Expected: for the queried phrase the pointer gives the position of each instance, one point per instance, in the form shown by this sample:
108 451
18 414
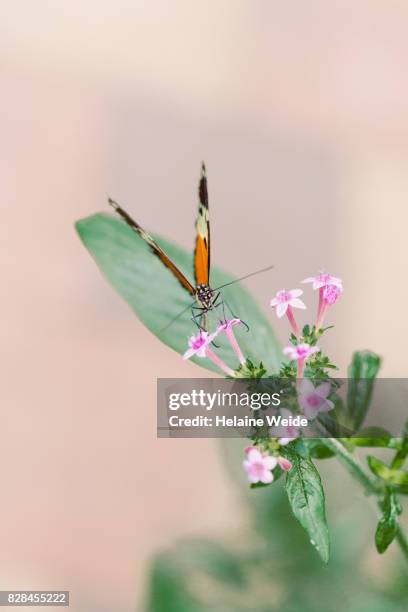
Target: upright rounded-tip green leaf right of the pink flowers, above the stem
362 372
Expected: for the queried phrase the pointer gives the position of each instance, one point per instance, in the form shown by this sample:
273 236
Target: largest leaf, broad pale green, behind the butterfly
156 297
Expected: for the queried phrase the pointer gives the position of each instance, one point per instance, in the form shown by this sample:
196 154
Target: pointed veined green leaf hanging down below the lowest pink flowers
306 497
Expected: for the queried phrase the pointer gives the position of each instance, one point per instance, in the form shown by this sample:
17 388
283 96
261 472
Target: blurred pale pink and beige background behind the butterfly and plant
300 112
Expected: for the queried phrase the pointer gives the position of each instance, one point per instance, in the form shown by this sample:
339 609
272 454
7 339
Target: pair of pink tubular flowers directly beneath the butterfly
199 345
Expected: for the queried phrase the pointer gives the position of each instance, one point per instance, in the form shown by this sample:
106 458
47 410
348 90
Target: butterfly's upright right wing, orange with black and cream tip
202 246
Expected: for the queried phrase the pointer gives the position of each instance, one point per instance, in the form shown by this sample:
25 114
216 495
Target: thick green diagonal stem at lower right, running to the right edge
369 482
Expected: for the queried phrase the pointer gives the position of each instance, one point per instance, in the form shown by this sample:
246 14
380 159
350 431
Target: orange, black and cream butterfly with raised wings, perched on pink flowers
205 298
